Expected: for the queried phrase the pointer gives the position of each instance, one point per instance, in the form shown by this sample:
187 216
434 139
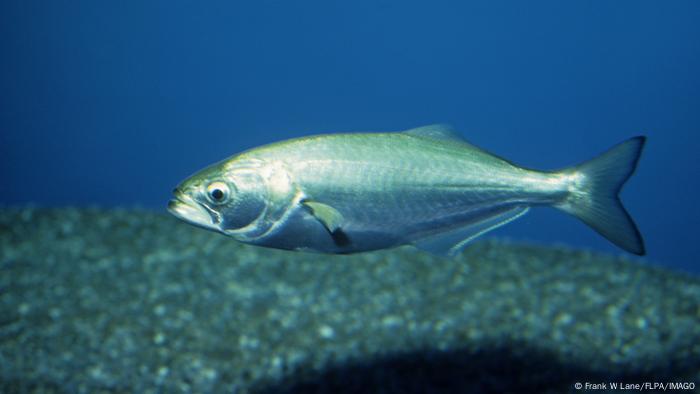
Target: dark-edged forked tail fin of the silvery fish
595 201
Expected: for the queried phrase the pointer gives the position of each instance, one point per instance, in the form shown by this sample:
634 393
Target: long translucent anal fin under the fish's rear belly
449 243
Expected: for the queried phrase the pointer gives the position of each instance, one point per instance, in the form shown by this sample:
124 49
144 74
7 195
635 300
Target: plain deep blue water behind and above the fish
113 103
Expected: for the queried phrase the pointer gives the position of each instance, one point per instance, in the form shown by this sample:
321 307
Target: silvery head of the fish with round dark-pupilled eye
227 197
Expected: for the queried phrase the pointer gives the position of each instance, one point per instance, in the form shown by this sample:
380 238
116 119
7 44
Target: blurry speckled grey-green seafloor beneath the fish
97 301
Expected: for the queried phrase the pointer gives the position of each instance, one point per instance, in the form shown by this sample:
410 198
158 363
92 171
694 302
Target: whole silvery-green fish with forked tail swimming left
427 187
